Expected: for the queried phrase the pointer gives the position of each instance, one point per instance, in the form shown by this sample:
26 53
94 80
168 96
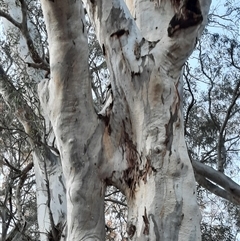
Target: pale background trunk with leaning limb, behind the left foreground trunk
44 160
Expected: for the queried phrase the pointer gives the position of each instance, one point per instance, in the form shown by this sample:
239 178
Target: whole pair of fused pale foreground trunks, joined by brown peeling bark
136 143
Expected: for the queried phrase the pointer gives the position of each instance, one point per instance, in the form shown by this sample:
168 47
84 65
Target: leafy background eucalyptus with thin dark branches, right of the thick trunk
212 120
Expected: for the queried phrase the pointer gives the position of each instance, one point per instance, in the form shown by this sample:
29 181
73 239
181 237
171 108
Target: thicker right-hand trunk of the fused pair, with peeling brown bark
146 71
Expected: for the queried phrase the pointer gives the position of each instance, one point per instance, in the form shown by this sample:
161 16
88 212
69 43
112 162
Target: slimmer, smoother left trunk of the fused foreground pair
74 120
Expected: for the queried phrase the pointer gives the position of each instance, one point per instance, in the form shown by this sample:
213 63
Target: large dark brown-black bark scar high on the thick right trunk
187 15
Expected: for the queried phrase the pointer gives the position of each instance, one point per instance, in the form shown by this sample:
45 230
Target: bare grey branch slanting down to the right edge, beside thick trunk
224 186
